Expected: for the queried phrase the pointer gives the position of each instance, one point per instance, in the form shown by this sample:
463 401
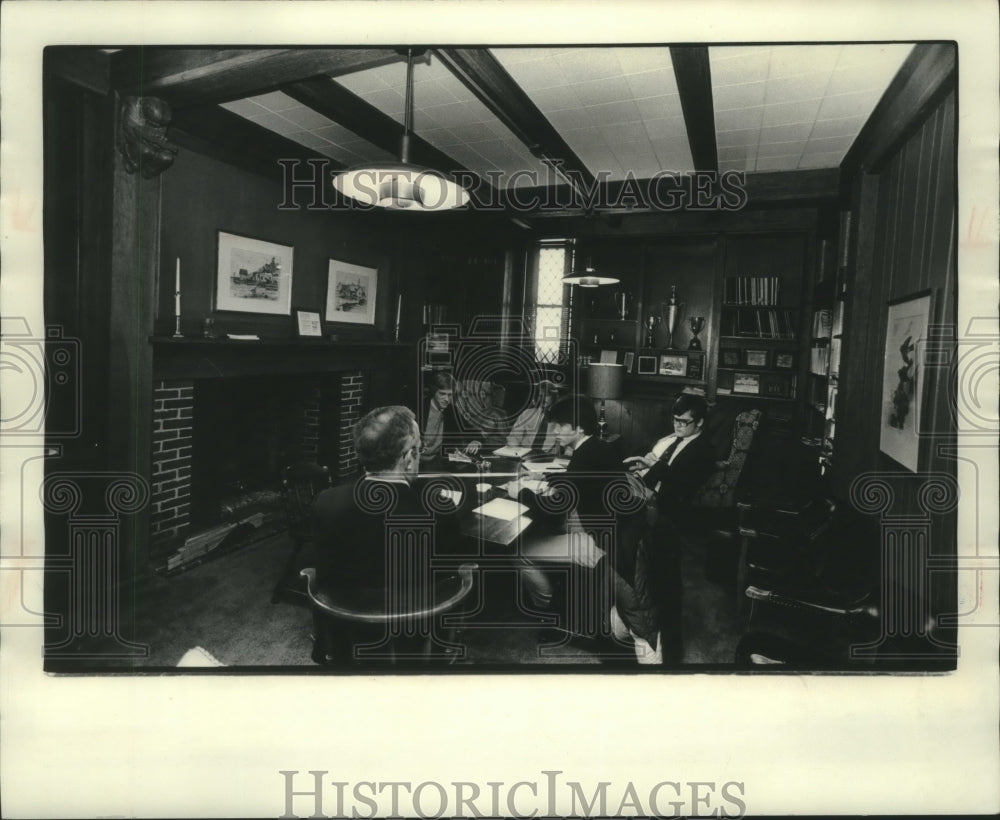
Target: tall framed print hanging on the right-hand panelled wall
907 320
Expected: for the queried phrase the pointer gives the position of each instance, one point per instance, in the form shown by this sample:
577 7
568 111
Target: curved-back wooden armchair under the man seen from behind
367 630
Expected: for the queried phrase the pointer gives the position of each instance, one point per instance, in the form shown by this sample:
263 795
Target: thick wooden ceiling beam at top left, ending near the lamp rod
193 76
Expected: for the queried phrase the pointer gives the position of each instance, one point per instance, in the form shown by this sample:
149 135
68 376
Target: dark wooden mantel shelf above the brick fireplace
227 358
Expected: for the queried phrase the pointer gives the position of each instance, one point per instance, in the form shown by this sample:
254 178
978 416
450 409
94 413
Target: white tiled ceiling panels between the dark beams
777 108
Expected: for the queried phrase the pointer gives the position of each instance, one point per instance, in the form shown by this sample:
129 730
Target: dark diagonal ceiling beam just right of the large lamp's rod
484 76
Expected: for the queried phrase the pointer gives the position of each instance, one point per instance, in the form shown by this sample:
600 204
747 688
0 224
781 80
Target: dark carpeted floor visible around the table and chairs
224 606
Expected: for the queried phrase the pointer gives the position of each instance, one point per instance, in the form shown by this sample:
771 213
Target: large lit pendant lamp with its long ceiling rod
400 185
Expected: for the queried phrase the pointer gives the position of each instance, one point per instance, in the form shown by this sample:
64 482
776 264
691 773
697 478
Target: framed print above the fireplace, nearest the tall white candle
253 276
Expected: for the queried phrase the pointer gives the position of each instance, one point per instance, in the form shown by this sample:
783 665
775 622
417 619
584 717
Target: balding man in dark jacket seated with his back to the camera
362 528
